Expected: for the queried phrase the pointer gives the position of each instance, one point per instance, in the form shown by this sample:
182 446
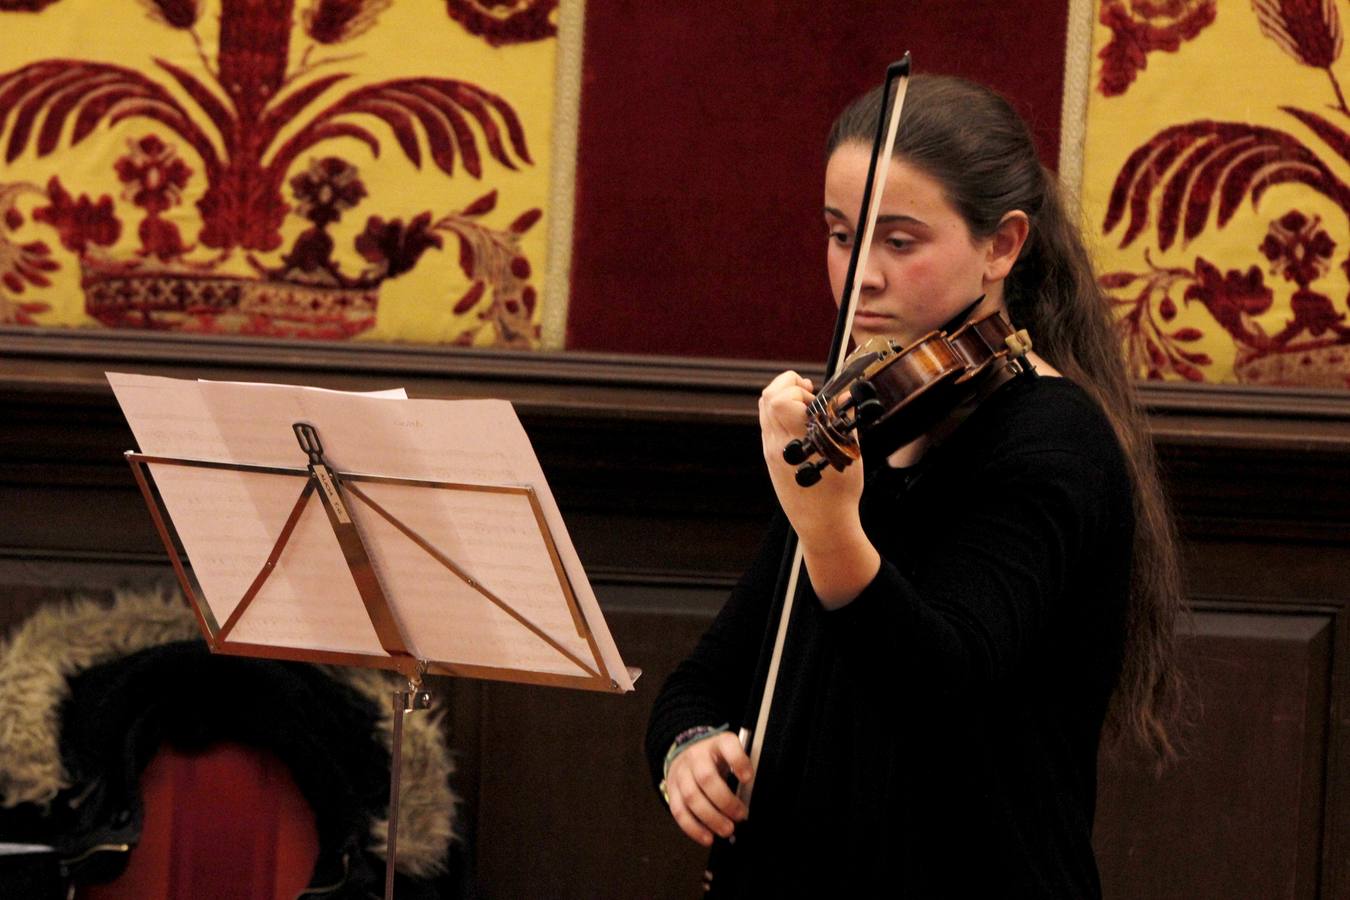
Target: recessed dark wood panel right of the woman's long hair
1241 814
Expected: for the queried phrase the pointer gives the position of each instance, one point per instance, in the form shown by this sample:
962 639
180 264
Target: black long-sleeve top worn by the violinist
939 735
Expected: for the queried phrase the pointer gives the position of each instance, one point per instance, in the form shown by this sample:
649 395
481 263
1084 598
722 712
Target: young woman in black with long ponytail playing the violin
981 602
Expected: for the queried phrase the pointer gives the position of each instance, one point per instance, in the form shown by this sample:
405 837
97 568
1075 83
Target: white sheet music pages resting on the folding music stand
229 522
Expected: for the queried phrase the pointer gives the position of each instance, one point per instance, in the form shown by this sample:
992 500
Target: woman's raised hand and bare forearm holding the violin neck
826 516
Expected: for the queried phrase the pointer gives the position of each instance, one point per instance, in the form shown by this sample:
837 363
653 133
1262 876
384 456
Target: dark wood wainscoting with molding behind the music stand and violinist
657 469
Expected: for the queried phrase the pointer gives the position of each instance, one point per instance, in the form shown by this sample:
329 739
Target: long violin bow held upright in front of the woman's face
772 652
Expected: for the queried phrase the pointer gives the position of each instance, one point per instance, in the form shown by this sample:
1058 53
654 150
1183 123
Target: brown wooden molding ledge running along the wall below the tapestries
604 384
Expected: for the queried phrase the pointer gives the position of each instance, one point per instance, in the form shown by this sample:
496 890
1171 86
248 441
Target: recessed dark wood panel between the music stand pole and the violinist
566 808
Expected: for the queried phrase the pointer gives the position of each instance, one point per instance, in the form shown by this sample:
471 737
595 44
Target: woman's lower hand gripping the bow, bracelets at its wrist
696 786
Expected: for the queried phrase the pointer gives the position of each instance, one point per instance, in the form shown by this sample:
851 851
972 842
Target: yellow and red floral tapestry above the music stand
288 168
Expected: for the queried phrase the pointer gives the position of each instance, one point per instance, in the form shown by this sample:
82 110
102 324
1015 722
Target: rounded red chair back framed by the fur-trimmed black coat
225 825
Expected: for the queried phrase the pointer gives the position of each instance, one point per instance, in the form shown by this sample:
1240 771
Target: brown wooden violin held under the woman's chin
898 393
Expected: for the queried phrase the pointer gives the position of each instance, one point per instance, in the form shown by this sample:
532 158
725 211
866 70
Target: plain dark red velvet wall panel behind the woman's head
701 160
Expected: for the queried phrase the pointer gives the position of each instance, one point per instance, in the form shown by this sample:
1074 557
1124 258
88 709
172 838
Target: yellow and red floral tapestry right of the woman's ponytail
1217 173
